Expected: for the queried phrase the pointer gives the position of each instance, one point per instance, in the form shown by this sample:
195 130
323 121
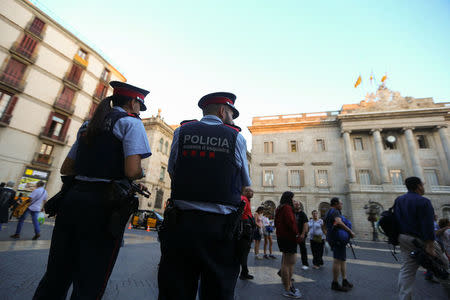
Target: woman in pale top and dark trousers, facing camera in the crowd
317 232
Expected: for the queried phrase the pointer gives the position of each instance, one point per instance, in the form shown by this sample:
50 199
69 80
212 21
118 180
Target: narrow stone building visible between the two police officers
157 178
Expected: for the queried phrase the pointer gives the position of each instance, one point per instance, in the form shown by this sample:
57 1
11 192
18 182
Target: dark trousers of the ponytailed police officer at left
82 251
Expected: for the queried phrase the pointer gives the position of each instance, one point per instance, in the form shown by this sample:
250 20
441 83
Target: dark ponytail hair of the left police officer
95 125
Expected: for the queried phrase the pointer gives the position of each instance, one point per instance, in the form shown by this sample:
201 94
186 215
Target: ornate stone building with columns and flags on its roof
361 154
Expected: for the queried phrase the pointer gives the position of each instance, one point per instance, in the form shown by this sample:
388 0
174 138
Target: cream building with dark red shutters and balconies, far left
50 82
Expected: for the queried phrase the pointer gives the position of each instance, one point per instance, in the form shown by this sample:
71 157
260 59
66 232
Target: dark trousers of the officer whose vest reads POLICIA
195 249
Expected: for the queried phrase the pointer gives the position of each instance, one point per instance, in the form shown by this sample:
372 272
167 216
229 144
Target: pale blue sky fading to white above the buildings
278 57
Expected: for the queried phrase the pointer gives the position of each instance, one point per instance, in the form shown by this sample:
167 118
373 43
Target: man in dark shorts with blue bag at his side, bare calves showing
339 233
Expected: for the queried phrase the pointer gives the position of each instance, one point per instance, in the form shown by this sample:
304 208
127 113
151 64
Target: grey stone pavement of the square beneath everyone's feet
374 272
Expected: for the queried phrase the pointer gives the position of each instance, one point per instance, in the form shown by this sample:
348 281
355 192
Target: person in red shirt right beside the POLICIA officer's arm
247 228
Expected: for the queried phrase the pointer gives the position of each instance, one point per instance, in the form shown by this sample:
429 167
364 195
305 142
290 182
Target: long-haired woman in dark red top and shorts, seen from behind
288 237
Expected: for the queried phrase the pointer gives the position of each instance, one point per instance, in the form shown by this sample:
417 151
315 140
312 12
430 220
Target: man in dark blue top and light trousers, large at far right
415 216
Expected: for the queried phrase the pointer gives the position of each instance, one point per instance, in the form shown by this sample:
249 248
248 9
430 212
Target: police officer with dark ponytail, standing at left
108 148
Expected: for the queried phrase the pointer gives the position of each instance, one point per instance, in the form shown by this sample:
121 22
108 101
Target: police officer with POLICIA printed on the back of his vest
208 169
